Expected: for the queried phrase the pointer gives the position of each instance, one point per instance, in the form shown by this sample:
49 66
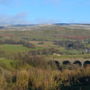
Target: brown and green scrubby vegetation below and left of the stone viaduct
33 72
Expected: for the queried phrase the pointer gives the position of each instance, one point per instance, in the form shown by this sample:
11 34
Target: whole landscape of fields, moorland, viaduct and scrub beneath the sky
30 58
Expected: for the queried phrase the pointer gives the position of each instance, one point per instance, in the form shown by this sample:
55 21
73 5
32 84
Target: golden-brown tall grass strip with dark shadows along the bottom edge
30 78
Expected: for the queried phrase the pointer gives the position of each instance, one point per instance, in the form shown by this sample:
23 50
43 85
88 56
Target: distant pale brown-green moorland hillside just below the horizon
47 32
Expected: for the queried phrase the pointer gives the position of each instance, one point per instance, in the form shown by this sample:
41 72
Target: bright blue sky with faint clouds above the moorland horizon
44 11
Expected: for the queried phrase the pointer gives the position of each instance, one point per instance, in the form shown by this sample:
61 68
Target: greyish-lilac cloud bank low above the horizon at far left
19 18
